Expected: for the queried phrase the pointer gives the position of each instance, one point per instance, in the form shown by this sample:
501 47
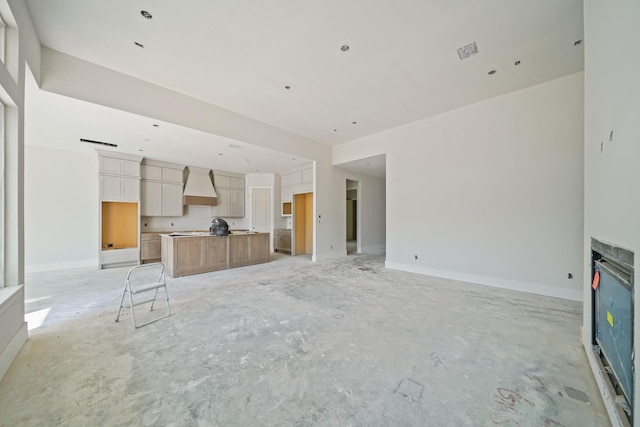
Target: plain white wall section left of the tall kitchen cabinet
61 209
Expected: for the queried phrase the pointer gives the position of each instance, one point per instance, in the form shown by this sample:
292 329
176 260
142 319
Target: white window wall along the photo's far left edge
22 48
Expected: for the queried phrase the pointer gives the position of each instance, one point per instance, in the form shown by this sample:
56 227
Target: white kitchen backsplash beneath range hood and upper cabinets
195 218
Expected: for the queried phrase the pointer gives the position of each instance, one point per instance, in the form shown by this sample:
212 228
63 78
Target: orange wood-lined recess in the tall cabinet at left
119 225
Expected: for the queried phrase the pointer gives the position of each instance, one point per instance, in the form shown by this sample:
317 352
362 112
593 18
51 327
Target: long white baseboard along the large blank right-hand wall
515 285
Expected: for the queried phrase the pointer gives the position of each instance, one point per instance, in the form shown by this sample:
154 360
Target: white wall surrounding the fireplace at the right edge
612 175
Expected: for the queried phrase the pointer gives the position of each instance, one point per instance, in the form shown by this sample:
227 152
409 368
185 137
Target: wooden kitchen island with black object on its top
196 252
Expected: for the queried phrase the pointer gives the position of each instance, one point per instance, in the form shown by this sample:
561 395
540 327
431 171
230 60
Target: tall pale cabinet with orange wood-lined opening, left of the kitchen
119 208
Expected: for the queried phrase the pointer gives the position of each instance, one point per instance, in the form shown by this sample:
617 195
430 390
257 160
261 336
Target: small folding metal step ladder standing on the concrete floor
144 288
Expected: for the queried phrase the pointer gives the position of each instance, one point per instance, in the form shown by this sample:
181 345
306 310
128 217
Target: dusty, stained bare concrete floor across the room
291 342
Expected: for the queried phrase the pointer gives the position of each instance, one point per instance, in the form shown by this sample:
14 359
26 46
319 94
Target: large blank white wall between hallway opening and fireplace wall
491 193
